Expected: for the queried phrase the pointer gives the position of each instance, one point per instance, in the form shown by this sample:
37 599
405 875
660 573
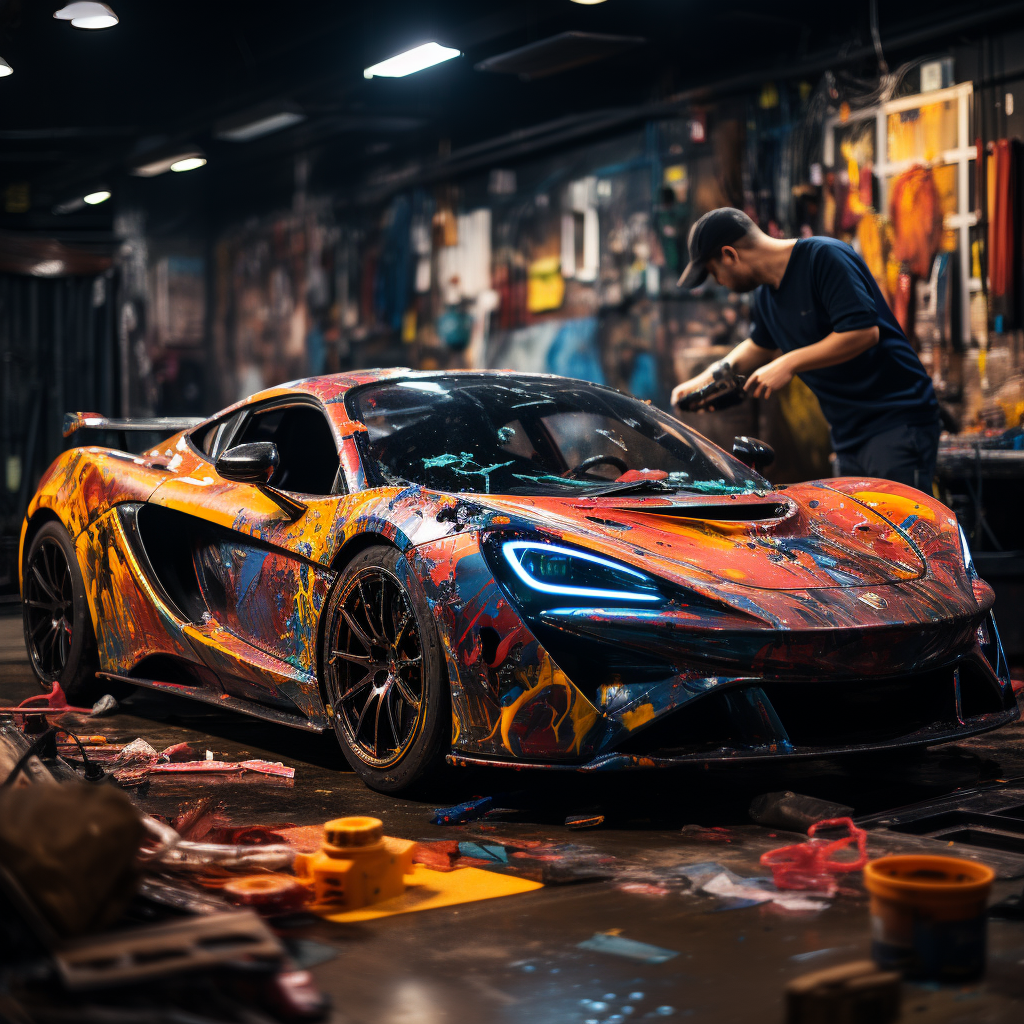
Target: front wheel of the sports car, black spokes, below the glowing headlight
383 672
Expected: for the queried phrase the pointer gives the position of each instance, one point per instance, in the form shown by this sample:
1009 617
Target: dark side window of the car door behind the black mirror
307 452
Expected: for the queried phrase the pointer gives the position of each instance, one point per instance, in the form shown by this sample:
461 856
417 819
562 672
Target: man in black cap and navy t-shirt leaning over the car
819 314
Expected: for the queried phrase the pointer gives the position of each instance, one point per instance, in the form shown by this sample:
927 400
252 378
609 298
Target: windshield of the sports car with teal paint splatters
524 436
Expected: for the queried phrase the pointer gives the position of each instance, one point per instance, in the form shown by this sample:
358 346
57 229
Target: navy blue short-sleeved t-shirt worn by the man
828 287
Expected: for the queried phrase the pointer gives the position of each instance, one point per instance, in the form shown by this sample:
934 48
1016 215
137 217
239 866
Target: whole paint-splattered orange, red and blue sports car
505 569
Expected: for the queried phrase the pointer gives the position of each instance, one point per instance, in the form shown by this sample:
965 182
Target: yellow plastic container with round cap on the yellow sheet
357 866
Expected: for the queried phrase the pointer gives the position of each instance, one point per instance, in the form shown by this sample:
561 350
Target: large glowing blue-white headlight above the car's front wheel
570 573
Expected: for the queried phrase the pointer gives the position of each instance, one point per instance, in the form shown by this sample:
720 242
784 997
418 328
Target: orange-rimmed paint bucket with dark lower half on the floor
928 916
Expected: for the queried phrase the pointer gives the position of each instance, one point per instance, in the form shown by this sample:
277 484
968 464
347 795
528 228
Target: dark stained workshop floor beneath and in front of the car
517 959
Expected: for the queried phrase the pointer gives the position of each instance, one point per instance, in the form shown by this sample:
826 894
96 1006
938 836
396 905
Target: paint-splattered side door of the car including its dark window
260 574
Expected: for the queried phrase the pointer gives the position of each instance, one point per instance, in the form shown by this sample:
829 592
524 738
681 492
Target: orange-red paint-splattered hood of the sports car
805 538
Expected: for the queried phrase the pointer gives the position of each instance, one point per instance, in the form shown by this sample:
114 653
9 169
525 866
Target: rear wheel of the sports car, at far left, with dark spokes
59 634
